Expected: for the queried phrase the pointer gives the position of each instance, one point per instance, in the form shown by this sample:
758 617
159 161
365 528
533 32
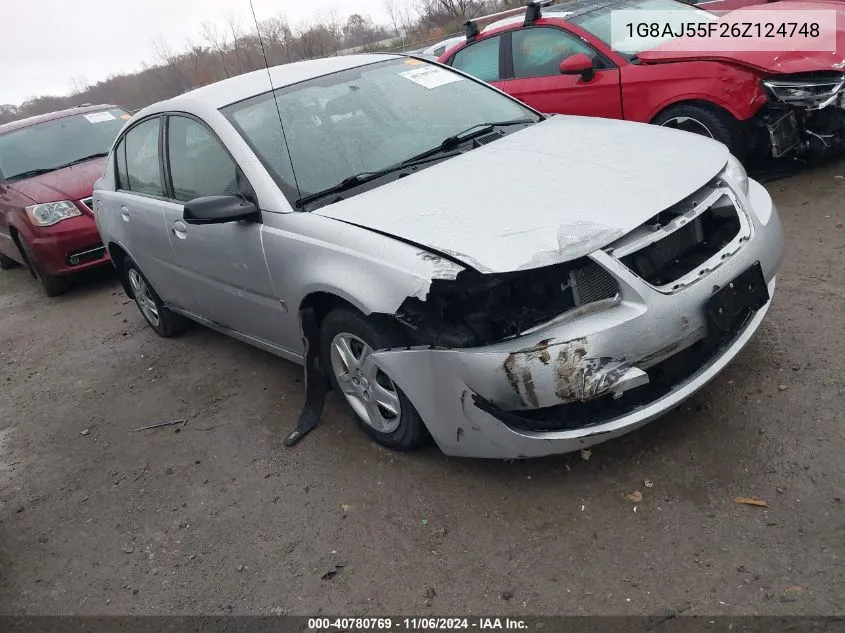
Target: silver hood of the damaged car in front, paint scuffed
547 194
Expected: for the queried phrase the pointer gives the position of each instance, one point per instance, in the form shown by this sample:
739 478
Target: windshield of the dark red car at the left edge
54 144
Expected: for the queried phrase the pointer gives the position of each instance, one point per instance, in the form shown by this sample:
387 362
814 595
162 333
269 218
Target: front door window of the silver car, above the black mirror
199 165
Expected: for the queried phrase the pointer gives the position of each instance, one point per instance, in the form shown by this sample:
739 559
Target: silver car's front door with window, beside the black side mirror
222 263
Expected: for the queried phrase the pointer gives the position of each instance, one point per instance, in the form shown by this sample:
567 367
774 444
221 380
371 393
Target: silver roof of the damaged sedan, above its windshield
234 89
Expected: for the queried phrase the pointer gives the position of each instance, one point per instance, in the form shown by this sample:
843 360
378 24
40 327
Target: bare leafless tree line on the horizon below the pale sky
224 49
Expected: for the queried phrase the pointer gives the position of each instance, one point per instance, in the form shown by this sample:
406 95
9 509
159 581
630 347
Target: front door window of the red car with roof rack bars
537 52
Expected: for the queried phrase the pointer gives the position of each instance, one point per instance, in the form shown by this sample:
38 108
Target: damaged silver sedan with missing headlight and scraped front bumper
452 263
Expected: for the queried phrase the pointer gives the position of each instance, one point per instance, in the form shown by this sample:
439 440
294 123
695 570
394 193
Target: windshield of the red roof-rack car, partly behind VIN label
676 15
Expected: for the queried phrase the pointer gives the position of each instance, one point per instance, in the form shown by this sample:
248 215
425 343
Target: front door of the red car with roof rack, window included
534 67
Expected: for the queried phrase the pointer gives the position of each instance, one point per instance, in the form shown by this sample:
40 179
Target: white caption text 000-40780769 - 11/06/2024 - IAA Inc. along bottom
430 624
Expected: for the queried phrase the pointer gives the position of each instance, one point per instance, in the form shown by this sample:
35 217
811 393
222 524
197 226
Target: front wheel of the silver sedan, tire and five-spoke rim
378 405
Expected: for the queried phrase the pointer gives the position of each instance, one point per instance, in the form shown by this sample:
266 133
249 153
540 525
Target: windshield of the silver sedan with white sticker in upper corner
363 120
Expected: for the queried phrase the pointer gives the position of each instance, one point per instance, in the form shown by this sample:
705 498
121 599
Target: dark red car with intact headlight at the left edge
48 166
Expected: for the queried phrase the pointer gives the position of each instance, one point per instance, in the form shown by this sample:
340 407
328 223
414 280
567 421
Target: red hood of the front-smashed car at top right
766 61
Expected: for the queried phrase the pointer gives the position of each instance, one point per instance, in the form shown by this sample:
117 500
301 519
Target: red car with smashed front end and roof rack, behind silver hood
560 61
